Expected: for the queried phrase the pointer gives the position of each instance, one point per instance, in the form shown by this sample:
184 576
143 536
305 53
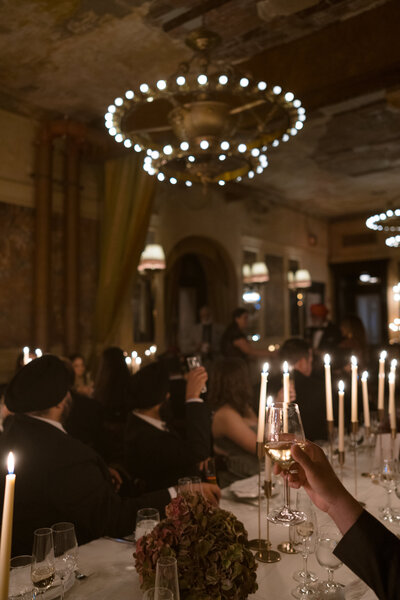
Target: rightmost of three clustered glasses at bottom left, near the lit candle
65 550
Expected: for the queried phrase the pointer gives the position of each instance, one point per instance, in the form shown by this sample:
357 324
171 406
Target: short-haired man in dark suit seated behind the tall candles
310 389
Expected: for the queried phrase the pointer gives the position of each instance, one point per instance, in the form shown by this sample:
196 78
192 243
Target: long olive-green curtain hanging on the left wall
128 201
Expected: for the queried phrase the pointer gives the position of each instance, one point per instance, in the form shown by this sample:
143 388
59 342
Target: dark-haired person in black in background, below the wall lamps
234 341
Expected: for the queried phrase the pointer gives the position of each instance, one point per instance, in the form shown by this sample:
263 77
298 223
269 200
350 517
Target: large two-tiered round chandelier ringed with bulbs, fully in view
204 123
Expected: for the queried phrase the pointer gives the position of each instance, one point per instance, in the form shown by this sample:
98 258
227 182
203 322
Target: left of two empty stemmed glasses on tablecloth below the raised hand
306 531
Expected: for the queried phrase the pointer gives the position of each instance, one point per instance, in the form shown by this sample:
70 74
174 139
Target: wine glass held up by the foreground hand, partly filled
283 428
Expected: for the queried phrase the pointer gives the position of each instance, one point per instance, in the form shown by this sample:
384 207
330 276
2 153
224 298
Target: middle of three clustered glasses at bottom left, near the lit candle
43 564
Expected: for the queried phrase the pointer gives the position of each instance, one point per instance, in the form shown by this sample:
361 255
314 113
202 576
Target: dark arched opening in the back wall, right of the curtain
199 271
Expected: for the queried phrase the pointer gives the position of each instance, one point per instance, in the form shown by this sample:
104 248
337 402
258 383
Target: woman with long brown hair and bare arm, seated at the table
234 421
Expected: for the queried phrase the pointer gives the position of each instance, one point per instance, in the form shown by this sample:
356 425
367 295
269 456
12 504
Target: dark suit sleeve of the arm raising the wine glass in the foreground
373 553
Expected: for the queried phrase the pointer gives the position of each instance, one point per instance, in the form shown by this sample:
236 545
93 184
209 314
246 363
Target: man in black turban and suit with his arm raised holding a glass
154 451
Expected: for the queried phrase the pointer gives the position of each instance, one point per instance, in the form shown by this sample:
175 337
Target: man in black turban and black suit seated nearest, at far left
58 477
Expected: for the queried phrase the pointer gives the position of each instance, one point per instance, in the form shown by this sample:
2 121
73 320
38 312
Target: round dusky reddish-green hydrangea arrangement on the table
210 545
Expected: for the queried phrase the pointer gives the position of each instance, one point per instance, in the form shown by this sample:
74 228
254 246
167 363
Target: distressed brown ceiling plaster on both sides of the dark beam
72 57
